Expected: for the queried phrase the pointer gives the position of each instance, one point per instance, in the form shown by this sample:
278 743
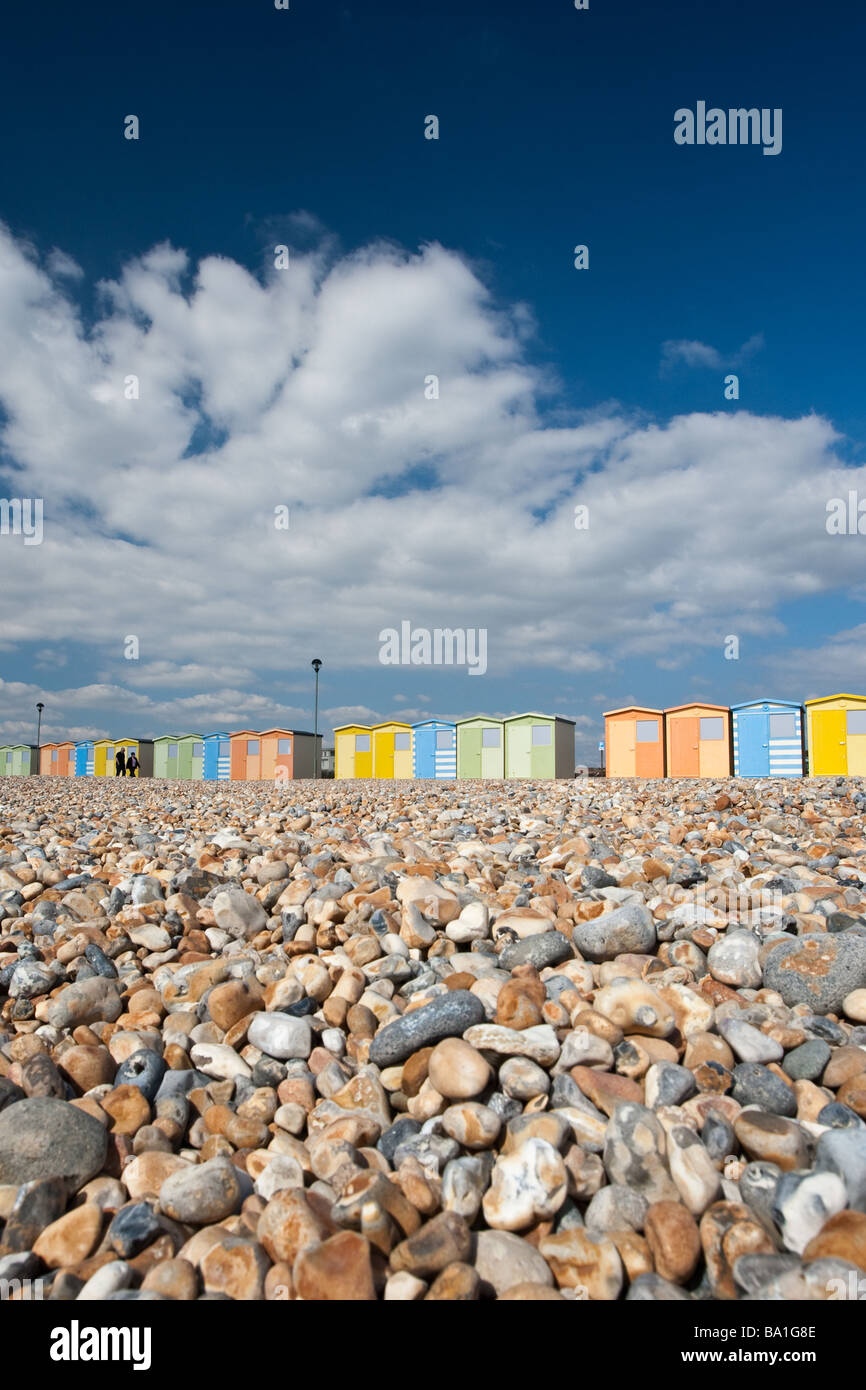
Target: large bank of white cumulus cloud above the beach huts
308 390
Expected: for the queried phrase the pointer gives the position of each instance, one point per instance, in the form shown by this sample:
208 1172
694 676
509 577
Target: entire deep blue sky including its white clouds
307 127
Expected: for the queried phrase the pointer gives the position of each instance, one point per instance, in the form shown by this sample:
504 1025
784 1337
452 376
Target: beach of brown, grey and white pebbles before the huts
589 1040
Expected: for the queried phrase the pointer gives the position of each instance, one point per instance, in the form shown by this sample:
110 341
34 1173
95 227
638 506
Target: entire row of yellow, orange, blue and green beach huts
758 739
